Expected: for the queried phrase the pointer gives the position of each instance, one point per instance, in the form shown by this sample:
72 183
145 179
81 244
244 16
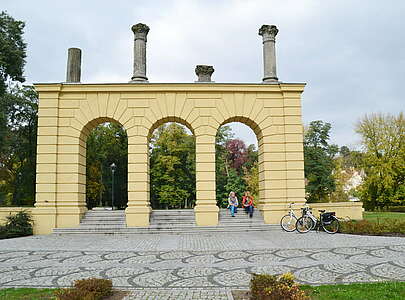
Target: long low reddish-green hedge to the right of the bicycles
387 226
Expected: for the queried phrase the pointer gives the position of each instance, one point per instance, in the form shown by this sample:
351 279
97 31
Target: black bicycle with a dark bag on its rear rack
327 221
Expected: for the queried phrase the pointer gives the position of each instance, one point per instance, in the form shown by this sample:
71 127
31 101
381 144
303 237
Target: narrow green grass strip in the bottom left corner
27 294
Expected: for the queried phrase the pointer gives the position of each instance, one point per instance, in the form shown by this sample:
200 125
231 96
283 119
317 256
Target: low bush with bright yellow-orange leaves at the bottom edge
272 287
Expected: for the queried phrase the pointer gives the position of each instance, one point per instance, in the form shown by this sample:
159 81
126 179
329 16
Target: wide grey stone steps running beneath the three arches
100 221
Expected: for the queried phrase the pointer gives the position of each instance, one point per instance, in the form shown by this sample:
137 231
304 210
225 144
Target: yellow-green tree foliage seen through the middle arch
172 167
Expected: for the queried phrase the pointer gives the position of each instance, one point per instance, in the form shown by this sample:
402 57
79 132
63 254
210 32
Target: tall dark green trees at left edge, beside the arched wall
17 174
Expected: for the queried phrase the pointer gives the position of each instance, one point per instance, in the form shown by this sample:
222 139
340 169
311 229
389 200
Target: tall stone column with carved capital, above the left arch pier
140 31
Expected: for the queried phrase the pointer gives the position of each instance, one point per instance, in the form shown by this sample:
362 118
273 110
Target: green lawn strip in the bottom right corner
358 291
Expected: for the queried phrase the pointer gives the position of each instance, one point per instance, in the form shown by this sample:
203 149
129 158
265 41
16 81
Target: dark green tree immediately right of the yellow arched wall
318 155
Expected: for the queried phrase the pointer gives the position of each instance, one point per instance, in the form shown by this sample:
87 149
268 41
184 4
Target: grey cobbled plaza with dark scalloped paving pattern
204 266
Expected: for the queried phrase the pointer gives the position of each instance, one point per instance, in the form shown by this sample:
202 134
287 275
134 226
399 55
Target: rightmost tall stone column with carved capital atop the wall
269 32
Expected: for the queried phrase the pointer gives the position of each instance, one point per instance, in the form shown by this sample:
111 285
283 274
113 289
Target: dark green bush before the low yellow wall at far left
17 225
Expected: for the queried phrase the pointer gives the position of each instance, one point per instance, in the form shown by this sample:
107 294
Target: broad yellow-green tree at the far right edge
383 141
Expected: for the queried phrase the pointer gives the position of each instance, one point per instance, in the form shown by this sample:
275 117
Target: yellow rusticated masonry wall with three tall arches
68 112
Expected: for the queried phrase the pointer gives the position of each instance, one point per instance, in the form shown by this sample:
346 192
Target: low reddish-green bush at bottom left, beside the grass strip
86 289
